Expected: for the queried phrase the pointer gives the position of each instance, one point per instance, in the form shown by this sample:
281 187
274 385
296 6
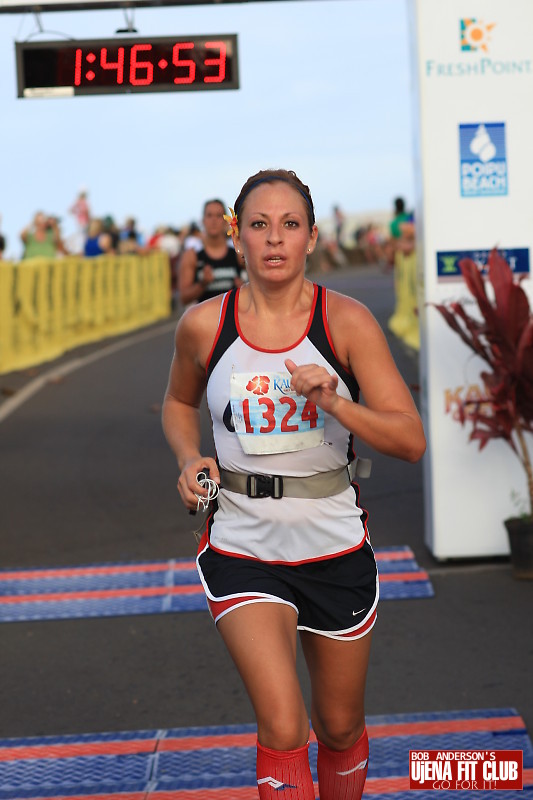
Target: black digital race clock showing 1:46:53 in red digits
102 66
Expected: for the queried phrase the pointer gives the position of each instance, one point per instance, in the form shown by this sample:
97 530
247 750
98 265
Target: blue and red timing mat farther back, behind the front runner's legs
109 590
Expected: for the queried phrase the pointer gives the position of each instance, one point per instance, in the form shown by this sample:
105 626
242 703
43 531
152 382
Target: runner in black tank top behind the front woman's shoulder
216 268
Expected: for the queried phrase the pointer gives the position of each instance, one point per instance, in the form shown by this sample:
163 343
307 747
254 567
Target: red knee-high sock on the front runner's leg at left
284 774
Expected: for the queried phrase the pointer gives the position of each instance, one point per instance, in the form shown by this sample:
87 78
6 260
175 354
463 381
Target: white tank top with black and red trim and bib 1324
261 426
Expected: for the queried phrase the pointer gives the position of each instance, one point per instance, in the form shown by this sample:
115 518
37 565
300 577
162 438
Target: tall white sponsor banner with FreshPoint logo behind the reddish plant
474 69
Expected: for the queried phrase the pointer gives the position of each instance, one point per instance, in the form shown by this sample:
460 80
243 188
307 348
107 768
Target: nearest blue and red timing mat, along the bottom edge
219 763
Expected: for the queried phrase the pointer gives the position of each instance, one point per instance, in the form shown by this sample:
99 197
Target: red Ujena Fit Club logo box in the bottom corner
464 770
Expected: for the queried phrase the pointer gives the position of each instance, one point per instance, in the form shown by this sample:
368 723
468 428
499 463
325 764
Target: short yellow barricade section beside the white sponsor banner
404 323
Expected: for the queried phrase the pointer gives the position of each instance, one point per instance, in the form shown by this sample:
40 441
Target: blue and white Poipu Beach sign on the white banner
483 159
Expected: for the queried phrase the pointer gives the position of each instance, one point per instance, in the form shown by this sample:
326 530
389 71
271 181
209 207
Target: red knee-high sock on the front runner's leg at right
342 774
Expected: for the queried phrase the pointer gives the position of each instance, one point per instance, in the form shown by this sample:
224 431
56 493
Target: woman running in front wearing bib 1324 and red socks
286 547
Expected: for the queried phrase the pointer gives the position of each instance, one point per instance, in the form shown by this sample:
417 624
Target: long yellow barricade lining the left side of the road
48 306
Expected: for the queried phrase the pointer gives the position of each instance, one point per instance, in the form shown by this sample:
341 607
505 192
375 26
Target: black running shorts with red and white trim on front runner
335 597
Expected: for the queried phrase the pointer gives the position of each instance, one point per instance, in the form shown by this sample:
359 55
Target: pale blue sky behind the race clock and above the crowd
325 89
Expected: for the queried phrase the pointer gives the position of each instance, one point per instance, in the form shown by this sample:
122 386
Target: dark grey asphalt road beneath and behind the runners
86 477
